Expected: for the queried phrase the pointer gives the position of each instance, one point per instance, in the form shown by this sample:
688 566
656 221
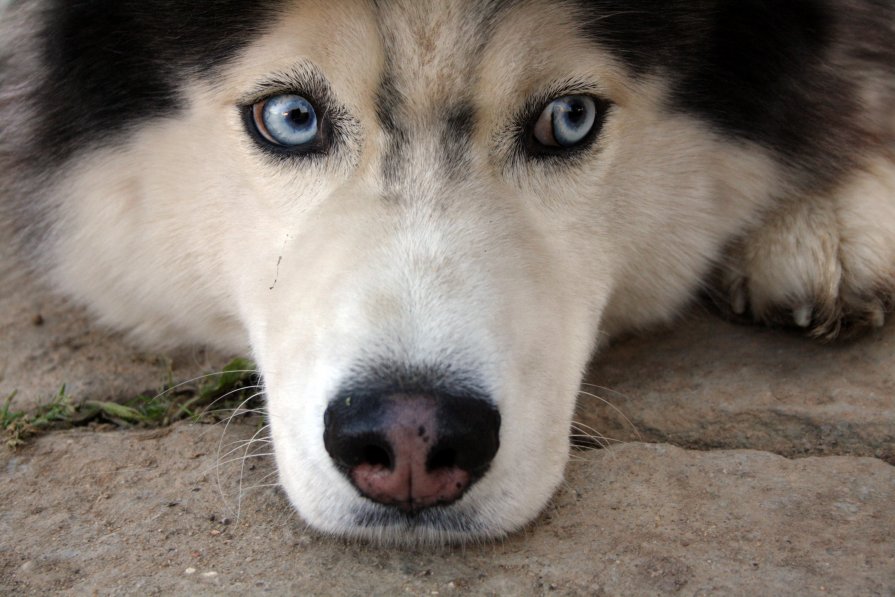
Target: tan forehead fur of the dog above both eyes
427 55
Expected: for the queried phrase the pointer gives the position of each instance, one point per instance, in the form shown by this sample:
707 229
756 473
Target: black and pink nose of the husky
411 451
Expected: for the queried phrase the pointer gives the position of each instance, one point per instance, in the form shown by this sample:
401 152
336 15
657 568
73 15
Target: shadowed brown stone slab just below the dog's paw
712 384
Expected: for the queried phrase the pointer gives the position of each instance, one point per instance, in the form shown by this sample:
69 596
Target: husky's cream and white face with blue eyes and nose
422 216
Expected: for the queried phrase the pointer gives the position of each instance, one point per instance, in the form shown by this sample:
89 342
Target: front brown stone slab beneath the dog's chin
144 512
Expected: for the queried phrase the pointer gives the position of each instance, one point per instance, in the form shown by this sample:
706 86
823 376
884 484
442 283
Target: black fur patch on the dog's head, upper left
114 63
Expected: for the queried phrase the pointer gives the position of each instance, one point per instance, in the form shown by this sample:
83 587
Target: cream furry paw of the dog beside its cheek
825 264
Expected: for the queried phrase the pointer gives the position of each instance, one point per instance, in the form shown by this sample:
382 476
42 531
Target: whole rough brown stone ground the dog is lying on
741 461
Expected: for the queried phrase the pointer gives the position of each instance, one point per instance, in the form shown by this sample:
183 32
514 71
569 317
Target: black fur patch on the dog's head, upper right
755 69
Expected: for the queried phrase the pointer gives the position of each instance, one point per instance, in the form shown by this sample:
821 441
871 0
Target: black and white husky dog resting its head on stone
421 217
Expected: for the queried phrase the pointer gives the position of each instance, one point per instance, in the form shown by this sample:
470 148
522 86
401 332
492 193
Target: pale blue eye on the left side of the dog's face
286 120
